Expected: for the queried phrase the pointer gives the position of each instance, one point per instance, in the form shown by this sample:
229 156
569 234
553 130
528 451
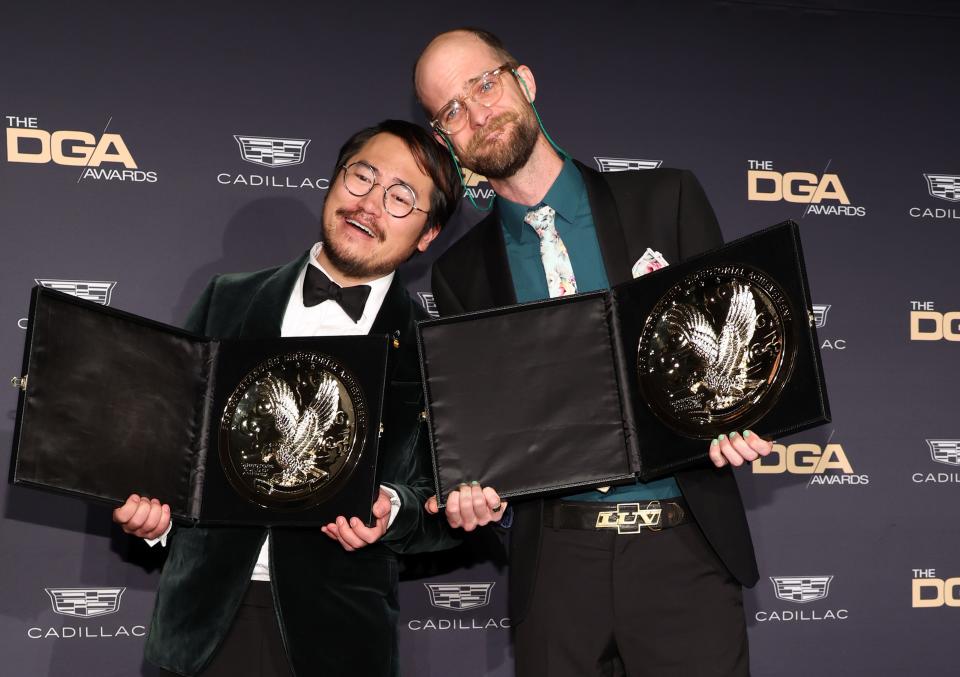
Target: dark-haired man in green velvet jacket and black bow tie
330 607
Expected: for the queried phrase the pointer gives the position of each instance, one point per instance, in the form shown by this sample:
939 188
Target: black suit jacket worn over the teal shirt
666 210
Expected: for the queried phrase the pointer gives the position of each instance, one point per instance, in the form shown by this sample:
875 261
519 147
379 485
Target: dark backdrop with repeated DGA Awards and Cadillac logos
148 147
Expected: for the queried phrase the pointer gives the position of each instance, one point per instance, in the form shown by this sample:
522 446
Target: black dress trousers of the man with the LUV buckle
651 604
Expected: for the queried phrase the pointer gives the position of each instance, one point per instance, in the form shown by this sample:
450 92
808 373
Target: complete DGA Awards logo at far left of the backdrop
103 157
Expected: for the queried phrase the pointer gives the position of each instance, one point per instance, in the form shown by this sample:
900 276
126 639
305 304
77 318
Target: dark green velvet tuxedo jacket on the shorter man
208 569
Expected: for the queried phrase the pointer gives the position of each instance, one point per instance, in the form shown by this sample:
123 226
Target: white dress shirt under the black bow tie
324 319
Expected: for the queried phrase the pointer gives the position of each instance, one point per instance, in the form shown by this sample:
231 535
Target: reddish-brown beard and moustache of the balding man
503 160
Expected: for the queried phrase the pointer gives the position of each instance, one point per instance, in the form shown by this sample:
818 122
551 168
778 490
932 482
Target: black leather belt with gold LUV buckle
630 517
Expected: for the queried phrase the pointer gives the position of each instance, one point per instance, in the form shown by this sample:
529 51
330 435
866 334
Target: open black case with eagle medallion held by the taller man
628 384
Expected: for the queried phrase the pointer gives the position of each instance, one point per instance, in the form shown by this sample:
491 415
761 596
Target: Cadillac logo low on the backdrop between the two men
459 599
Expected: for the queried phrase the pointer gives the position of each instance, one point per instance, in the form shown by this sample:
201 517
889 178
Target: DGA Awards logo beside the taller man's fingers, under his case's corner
827 465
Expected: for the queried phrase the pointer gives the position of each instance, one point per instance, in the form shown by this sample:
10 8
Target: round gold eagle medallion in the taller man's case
716 351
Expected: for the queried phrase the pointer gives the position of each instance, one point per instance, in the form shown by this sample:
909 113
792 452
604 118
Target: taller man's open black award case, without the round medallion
547 397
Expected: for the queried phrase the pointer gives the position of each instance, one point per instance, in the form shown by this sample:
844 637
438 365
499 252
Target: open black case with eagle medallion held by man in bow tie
227 431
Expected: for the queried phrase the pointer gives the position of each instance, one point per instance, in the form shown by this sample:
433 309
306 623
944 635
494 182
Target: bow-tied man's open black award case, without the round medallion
113 404
